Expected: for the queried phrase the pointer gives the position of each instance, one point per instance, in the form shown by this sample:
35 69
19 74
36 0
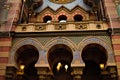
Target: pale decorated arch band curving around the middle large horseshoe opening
63 41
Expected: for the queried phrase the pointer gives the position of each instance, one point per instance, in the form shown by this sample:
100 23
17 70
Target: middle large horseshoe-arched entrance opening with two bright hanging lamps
60 58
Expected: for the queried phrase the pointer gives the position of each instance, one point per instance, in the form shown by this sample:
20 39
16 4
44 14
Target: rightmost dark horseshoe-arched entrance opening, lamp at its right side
95 58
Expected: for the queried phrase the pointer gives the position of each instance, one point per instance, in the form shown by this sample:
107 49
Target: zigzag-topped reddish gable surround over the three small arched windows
63 11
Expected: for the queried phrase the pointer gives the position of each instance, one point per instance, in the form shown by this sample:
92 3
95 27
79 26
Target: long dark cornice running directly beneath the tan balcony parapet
62 33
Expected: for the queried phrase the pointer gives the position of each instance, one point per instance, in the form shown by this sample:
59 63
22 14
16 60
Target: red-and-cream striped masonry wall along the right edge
112 14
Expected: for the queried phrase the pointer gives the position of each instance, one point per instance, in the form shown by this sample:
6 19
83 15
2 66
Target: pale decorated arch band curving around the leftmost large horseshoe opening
22 42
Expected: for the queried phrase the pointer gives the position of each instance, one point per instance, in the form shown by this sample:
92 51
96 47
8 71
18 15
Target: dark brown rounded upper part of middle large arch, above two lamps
59 52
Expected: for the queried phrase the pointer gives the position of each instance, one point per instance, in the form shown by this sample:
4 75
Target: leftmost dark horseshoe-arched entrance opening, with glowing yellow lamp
26 57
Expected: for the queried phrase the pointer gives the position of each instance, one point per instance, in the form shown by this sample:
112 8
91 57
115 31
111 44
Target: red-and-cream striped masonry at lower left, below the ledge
4 54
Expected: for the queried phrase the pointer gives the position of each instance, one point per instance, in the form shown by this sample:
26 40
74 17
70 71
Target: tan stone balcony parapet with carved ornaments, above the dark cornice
68 26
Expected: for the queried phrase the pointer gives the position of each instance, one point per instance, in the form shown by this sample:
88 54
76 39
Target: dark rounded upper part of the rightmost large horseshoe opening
94 52
